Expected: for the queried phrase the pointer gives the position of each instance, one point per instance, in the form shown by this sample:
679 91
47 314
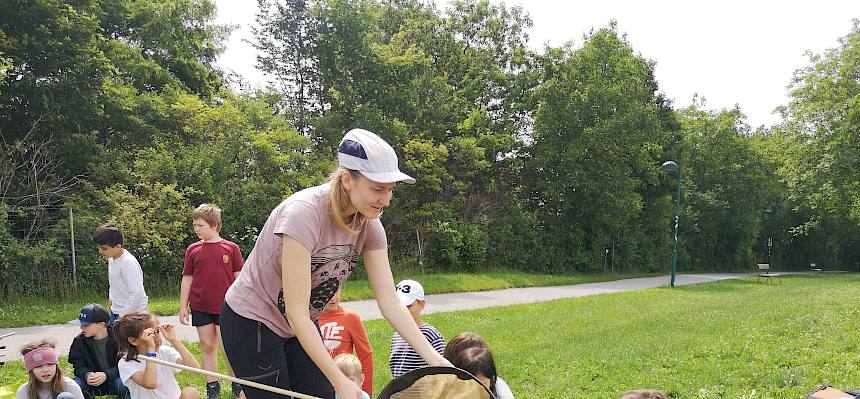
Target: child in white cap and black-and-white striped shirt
403 358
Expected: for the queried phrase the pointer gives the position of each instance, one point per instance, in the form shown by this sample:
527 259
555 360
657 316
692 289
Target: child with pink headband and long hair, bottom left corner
46 377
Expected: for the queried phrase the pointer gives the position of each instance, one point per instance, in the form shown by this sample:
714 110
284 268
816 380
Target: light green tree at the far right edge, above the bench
820 161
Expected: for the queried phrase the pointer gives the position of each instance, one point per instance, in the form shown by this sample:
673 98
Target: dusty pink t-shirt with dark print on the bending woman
305 216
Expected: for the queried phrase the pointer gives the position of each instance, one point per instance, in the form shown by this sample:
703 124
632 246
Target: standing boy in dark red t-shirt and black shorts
211 266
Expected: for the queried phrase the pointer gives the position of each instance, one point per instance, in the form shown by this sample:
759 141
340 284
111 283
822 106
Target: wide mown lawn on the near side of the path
729 339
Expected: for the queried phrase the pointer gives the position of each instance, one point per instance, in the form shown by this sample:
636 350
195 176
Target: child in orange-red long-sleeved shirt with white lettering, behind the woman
343 332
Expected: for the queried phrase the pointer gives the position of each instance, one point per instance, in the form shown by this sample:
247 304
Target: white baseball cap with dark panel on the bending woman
367 153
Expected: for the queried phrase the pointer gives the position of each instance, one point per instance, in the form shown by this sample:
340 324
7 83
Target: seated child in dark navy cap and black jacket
93 355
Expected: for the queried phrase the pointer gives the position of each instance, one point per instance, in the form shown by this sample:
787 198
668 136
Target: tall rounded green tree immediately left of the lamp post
593 167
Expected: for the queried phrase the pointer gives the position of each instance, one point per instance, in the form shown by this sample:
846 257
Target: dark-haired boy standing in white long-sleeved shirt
125 277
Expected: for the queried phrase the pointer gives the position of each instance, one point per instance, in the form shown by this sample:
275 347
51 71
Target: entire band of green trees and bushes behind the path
532 160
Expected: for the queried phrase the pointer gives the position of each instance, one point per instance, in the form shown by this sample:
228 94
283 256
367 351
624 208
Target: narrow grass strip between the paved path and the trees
41 311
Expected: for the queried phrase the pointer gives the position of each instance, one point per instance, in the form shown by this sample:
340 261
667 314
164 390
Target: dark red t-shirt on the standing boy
213 266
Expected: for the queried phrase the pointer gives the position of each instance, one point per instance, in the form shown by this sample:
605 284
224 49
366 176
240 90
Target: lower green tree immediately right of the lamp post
726 187
